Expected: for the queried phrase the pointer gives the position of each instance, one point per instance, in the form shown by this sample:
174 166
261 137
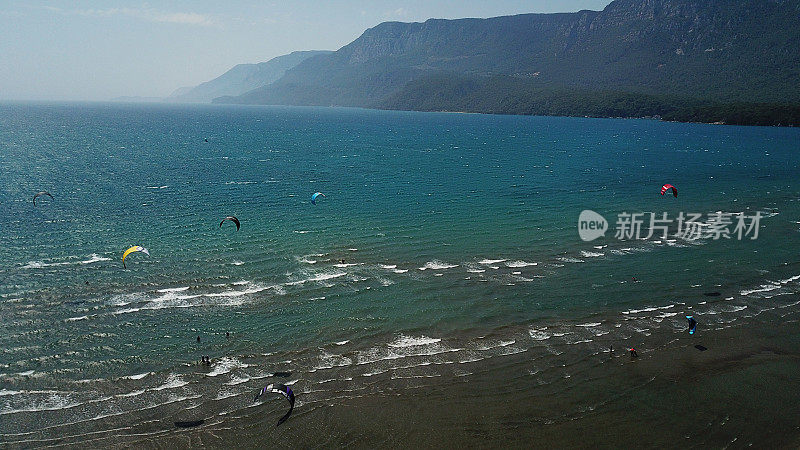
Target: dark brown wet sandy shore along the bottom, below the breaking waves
735 393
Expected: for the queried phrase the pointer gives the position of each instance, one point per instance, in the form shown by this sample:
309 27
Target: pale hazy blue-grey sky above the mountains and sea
99 49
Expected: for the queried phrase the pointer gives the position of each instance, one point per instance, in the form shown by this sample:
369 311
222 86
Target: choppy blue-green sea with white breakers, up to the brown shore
436 231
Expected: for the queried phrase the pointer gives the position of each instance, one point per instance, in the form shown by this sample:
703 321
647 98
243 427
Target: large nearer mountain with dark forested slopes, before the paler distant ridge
732 61
